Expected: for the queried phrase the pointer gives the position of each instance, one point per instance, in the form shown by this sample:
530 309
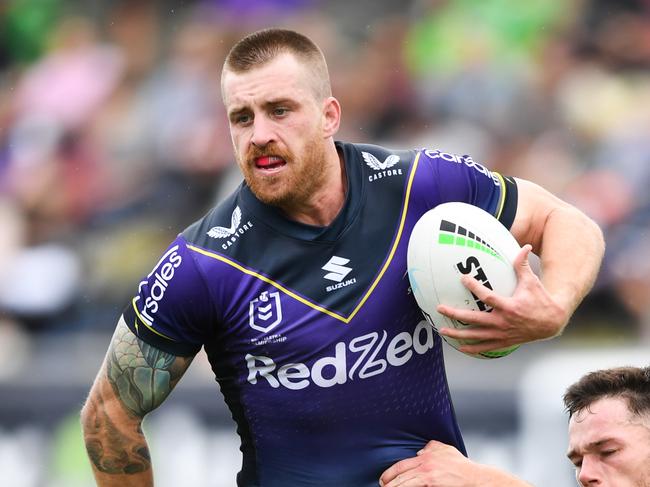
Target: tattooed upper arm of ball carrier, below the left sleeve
141 375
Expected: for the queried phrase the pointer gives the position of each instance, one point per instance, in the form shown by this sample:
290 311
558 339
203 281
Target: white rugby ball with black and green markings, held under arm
448 241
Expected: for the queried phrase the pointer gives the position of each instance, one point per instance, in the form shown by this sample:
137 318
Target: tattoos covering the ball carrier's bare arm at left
142 377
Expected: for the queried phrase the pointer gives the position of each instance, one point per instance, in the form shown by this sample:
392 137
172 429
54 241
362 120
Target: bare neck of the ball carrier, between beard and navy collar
325 204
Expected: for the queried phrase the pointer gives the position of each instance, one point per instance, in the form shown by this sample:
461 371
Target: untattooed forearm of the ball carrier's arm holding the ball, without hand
571 253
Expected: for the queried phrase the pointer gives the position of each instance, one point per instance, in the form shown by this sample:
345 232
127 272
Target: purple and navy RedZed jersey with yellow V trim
321 352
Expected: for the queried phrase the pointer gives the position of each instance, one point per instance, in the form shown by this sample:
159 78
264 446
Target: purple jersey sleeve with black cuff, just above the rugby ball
451 177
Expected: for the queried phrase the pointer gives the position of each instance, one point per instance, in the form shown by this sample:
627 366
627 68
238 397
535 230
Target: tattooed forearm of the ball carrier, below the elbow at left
116 446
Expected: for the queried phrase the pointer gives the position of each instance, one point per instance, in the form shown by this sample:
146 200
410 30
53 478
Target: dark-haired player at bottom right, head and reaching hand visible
609 440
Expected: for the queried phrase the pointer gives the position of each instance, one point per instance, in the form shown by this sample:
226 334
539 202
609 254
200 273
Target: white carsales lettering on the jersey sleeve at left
162 274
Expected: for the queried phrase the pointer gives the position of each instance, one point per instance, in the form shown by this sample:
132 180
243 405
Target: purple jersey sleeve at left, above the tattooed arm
172 309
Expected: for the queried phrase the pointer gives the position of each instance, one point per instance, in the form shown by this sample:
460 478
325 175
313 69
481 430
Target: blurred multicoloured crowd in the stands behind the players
113 136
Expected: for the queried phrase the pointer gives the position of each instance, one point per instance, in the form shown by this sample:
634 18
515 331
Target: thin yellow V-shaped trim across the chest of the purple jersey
317 307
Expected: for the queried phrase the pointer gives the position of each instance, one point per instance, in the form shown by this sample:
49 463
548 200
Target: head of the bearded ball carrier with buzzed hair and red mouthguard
276 90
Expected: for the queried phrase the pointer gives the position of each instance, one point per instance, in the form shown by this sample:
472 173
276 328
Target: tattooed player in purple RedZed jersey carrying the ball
296 287
